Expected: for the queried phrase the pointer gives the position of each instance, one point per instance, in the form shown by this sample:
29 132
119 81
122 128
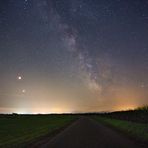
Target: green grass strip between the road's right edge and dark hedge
135 130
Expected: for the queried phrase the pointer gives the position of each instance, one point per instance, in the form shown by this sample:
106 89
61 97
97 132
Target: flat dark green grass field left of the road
17 130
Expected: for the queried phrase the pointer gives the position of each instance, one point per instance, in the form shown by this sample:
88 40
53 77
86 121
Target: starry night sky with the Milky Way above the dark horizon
73 55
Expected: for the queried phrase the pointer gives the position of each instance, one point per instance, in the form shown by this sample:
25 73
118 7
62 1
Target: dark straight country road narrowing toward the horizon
87 133
